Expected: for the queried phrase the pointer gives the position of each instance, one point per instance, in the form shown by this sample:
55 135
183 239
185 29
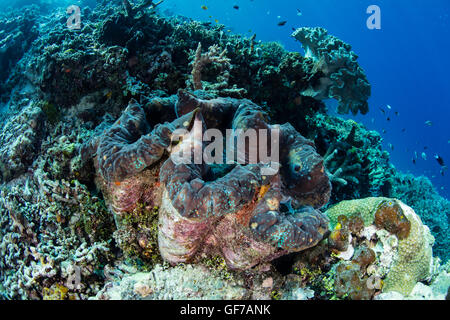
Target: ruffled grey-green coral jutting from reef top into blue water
343 79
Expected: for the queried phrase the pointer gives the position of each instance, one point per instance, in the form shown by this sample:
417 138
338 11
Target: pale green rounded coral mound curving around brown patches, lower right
414 254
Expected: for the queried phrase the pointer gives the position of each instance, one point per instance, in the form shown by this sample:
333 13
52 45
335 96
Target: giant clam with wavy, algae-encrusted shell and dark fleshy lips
240 214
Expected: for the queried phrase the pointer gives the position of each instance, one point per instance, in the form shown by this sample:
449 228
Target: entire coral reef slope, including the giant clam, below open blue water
92 200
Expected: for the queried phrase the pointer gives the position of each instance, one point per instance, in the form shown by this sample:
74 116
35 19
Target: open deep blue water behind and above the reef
406 62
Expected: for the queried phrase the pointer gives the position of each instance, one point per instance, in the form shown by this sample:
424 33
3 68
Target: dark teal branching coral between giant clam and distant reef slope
353 157
